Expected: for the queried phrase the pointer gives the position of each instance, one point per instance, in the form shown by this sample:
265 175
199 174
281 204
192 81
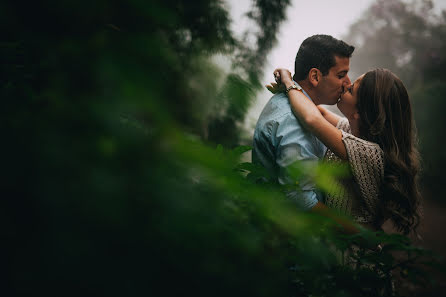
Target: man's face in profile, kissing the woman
332 85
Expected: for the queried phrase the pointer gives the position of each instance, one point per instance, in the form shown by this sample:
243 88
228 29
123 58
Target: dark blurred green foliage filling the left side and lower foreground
112 186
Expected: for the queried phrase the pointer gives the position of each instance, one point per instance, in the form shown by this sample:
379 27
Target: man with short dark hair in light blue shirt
321 68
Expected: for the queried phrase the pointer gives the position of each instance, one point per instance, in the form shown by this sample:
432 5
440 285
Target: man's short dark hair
319 51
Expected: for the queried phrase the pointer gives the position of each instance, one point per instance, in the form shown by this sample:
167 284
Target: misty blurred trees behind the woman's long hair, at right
409 38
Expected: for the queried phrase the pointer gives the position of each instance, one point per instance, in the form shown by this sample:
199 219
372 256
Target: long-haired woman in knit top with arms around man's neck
377 139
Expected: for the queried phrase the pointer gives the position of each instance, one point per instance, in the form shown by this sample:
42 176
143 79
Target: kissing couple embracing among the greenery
375 137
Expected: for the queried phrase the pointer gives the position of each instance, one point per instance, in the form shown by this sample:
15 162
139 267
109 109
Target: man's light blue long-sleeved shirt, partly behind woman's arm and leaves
279 141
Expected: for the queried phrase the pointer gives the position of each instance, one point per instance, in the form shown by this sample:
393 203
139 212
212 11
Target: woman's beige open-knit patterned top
358 195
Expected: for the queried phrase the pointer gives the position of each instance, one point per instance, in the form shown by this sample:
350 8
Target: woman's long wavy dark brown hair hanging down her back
386 118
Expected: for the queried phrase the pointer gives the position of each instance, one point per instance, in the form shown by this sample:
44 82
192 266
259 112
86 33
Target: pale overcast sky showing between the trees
304 18
